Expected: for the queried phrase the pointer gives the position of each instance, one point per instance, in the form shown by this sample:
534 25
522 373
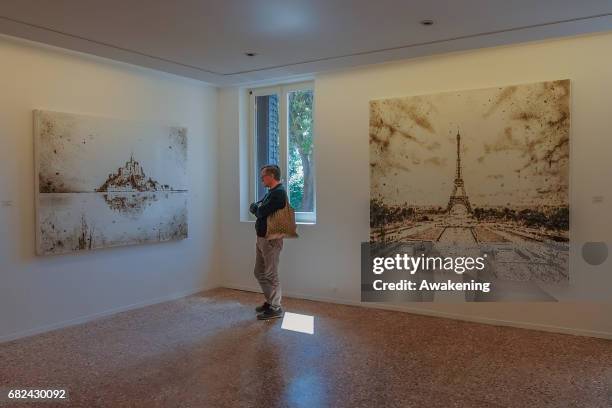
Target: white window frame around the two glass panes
282 91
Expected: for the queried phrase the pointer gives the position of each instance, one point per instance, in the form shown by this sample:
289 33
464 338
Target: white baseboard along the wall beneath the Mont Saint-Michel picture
106 313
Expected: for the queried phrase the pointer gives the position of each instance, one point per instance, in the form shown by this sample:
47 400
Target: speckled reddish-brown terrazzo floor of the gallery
208 350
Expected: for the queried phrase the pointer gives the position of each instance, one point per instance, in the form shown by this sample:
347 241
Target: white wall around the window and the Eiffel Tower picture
325 262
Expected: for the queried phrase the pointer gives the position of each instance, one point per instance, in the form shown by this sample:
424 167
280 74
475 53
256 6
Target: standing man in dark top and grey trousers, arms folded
268 250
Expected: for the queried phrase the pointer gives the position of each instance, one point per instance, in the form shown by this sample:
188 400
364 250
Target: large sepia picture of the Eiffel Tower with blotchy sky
485 169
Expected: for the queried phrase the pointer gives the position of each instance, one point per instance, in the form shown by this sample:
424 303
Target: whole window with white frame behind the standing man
282 133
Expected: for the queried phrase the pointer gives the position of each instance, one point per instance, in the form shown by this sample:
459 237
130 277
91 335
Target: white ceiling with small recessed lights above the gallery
207 40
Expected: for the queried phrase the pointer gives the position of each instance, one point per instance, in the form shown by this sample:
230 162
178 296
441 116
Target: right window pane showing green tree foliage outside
300 150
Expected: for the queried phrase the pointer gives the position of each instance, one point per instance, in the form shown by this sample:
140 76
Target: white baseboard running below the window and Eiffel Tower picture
433 313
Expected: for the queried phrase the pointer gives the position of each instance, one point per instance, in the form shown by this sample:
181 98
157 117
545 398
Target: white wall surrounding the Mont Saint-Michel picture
40 293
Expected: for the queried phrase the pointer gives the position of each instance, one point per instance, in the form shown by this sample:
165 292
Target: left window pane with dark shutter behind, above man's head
266 135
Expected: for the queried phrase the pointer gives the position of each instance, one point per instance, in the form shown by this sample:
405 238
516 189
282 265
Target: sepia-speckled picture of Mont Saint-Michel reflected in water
105 182
